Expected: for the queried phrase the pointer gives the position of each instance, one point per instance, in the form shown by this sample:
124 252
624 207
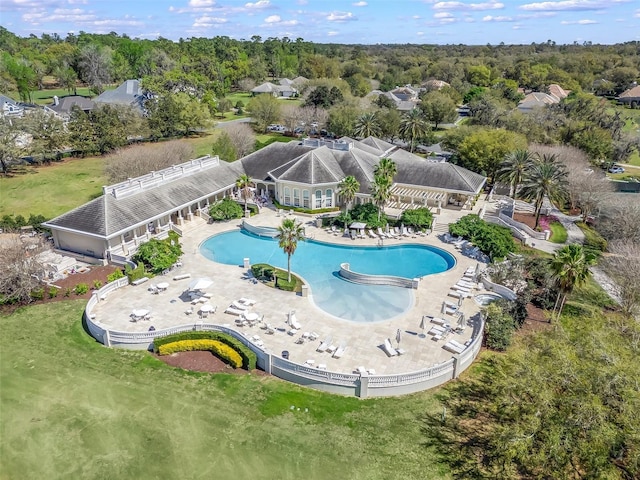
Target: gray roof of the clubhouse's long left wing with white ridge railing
106 216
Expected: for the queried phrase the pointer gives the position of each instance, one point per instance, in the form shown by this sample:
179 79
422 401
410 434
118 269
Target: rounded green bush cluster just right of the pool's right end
493 240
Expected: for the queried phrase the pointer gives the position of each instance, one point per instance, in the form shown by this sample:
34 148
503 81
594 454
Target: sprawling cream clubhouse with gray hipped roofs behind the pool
301 174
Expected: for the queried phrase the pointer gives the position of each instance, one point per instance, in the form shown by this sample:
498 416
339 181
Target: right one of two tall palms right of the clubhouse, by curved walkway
545 178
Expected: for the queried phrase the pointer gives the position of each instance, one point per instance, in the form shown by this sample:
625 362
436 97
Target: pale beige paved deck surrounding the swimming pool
362 340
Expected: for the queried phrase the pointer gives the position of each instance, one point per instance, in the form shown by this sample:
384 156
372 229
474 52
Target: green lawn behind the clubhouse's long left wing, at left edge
52 190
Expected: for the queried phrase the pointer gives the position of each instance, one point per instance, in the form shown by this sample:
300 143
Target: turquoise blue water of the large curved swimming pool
318 263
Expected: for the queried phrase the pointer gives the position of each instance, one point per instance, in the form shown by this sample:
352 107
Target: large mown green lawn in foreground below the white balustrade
71 408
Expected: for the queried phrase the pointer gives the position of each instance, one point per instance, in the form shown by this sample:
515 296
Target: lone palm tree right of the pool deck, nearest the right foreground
570 267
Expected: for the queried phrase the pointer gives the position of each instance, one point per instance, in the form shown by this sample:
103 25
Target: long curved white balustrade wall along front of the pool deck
326 380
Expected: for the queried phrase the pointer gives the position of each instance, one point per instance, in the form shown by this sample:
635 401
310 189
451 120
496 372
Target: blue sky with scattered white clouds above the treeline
355 21
